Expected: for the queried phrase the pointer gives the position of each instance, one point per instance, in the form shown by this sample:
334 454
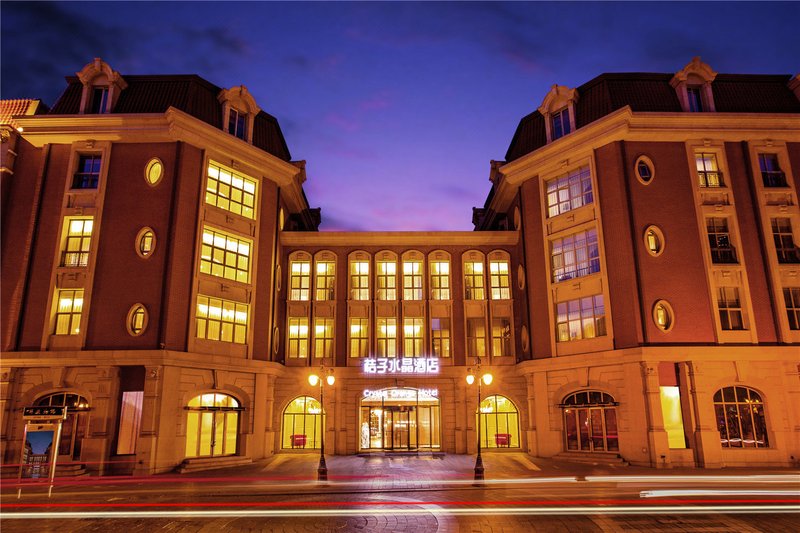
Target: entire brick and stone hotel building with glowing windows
633 284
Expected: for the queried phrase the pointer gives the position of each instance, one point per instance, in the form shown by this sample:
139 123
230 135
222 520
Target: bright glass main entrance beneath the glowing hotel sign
400 419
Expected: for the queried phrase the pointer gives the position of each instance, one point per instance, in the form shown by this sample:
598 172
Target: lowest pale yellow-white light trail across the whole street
470 511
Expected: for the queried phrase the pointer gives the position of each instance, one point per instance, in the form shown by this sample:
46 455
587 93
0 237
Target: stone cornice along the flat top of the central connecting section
398 238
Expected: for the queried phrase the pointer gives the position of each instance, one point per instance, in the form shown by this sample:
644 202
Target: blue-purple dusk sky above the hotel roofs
396 107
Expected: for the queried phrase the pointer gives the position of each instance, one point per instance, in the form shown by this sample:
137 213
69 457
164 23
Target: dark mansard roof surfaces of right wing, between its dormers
647 92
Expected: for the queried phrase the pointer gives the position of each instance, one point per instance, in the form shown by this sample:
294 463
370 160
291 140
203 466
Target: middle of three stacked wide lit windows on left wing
225 256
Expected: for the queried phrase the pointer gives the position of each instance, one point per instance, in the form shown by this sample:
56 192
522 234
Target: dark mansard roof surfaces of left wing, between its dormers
188 93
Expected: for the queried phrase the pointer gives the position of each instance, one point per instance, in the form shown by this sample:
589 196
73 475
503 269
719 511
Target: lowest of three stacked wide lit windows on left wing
221 320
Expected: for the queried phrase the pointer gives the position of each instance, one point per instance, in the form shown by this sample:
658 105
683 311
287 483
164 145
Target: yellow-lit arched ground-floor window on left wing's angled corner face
212 425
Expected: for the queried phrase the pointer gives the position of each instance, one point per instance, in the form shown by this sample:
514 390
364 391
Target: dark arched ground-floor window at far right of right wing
740 418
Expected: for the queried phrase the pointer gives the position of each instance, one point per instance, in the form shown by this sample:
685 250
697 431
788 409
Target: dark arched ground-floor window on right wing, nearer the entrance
590 422
